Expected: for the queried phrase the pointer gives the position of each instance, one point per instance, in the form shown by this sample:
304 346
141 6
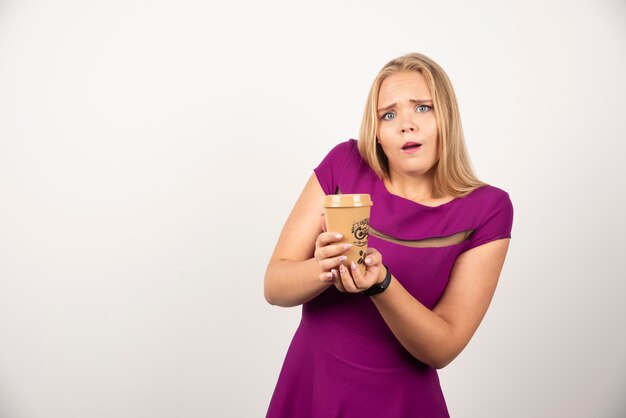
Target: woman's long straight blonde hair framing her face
454 175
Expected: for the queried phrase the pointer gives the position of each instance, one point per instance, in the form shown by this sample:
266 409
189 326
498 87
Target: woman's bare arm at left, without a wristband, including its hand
294 275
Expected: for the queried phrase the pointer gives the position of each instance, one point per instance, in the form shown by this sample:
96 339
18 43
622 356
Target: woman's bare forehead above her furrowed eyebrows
403 85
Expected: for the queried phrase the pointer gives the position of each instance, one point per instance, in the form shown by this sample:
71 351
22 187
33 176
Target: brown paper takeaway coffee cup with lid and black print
349 214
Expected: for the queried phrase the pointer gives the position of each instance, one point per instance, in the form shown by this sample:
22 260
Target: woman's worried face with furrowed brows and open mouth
407 127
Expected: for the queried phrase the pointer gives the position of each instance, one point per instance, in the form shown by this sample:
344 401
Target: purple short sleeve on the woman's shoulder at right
497 222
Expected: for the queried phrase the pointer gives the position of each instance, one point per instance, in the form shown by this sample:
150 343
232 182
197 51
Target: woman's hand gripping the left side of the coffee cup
329 254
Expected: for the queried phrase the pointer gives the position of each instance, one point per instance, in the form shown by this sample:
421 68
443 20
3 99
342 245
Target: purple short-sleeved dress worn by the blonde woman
343 360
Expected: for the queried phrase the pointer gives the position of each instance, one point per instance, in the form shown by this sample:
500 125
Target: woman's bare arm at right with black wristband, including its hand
436 337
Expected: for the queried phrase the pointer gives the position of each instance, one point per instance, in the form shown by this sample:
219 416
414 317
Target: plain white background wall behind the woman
150 152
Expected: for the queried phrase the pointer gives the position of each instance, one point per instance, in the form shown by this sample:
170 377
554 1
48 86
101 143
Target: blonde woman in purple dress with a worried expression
438 240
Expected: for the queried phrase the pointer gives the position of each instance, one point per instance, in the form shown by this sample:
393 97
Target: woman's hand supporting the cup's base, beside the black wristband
351 280
